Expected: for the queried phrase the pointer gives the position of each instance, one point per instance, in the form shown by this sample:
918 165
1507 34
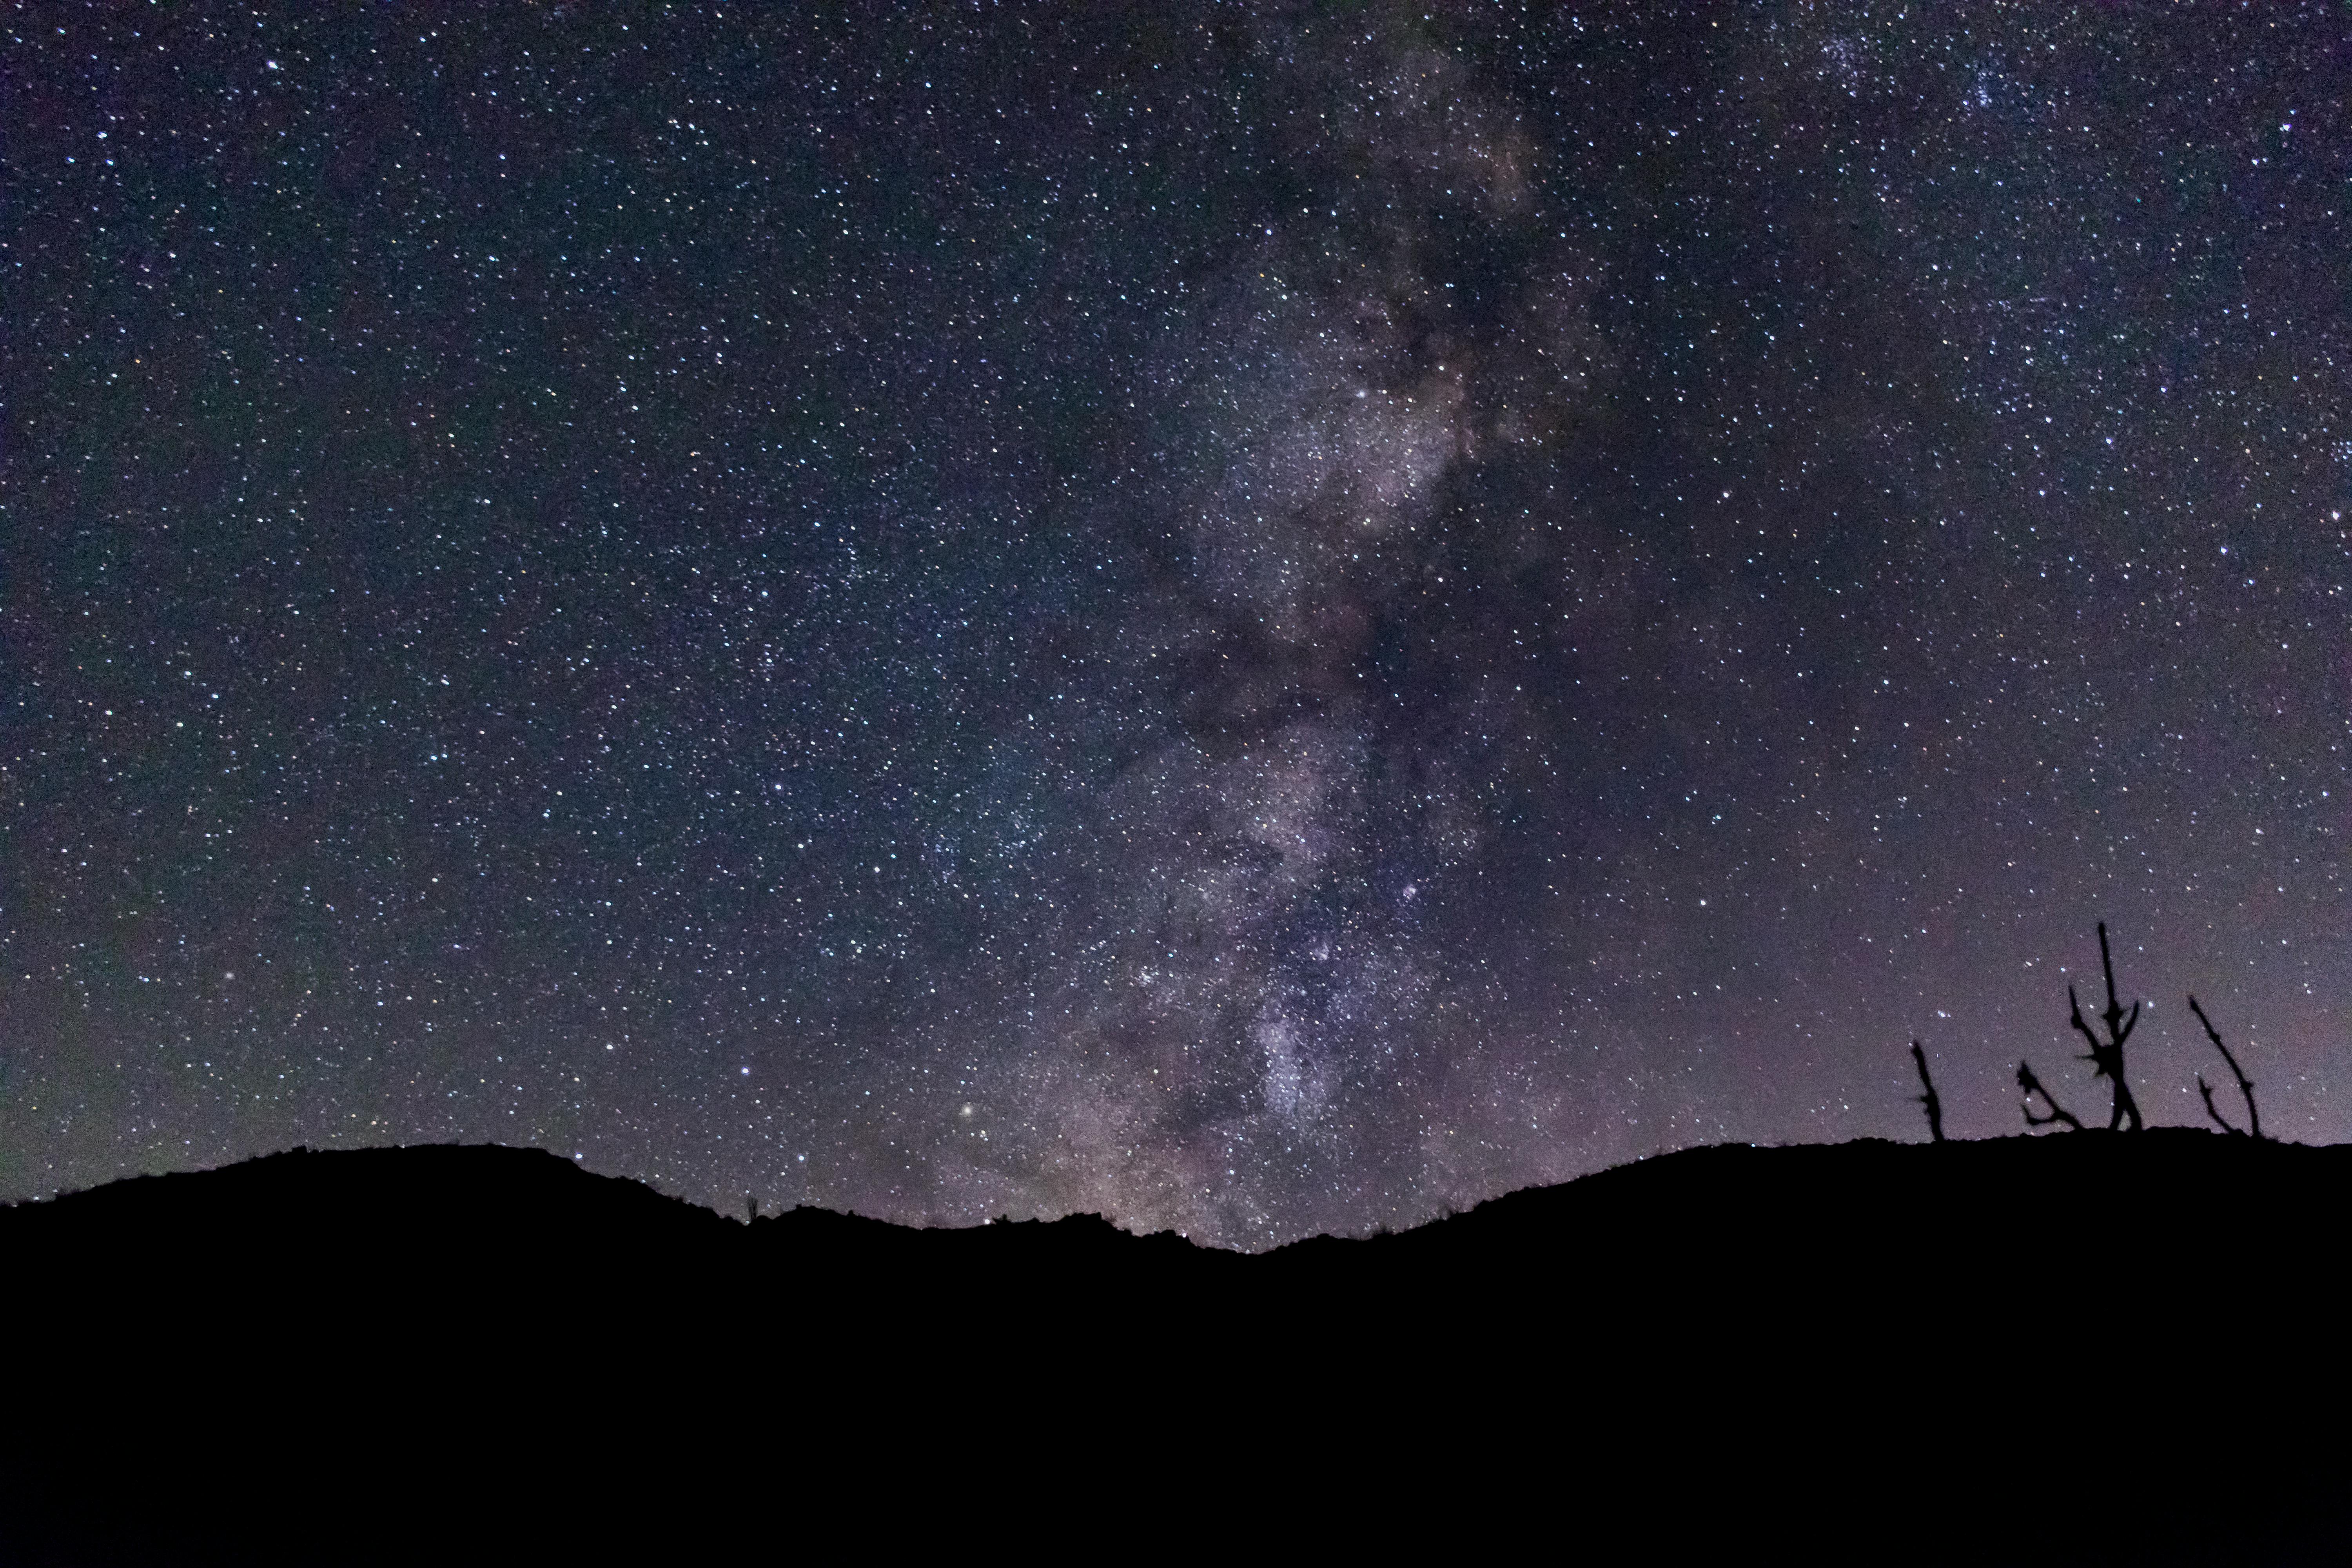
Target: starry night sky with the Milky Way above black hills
1248 617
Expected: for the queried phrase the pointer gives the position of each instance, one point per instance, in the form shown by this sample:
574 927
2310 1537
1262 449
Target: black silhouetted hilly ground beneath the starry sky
2080 1348
